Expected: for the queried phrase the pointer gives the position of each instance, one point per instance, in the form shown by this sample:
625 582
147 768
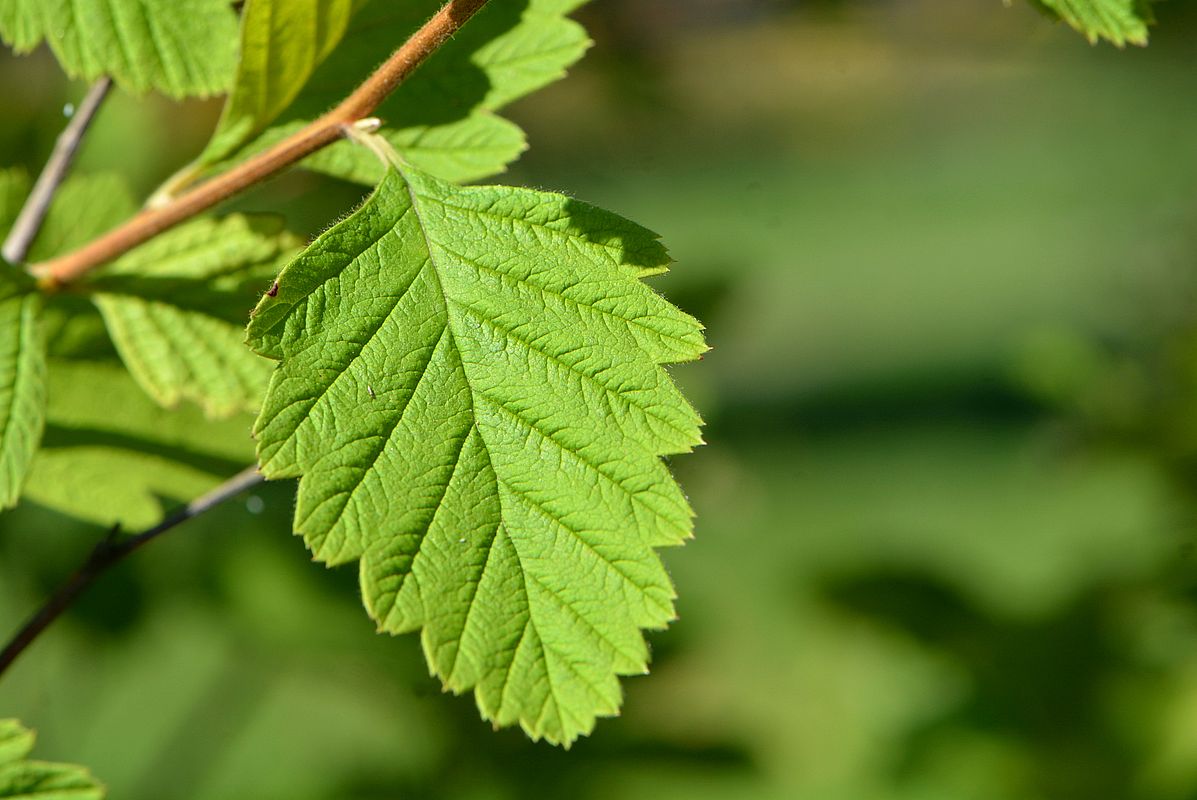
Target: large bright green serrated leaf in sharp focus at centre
472 393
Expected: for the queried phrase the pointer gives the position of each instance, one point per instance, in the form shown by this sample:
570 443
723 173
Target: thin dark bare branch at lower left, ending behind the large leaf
108 553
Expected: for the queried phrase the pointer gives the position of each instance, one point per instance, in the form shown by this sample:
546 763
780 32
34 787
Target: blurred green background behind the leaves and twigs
946 254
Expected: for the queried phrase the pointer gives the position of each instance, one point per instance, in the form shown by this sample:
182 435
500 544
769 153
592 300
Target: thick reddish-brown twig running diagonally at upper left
318 135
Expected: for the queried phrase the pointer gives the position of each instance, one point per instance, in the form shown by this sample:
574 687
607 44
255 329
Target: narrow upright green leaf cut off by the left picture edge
22 383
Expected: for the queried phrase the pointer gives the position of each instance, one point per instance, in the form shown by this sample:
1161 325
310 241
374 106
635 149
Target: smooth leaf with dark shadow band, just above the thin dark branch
112 456
